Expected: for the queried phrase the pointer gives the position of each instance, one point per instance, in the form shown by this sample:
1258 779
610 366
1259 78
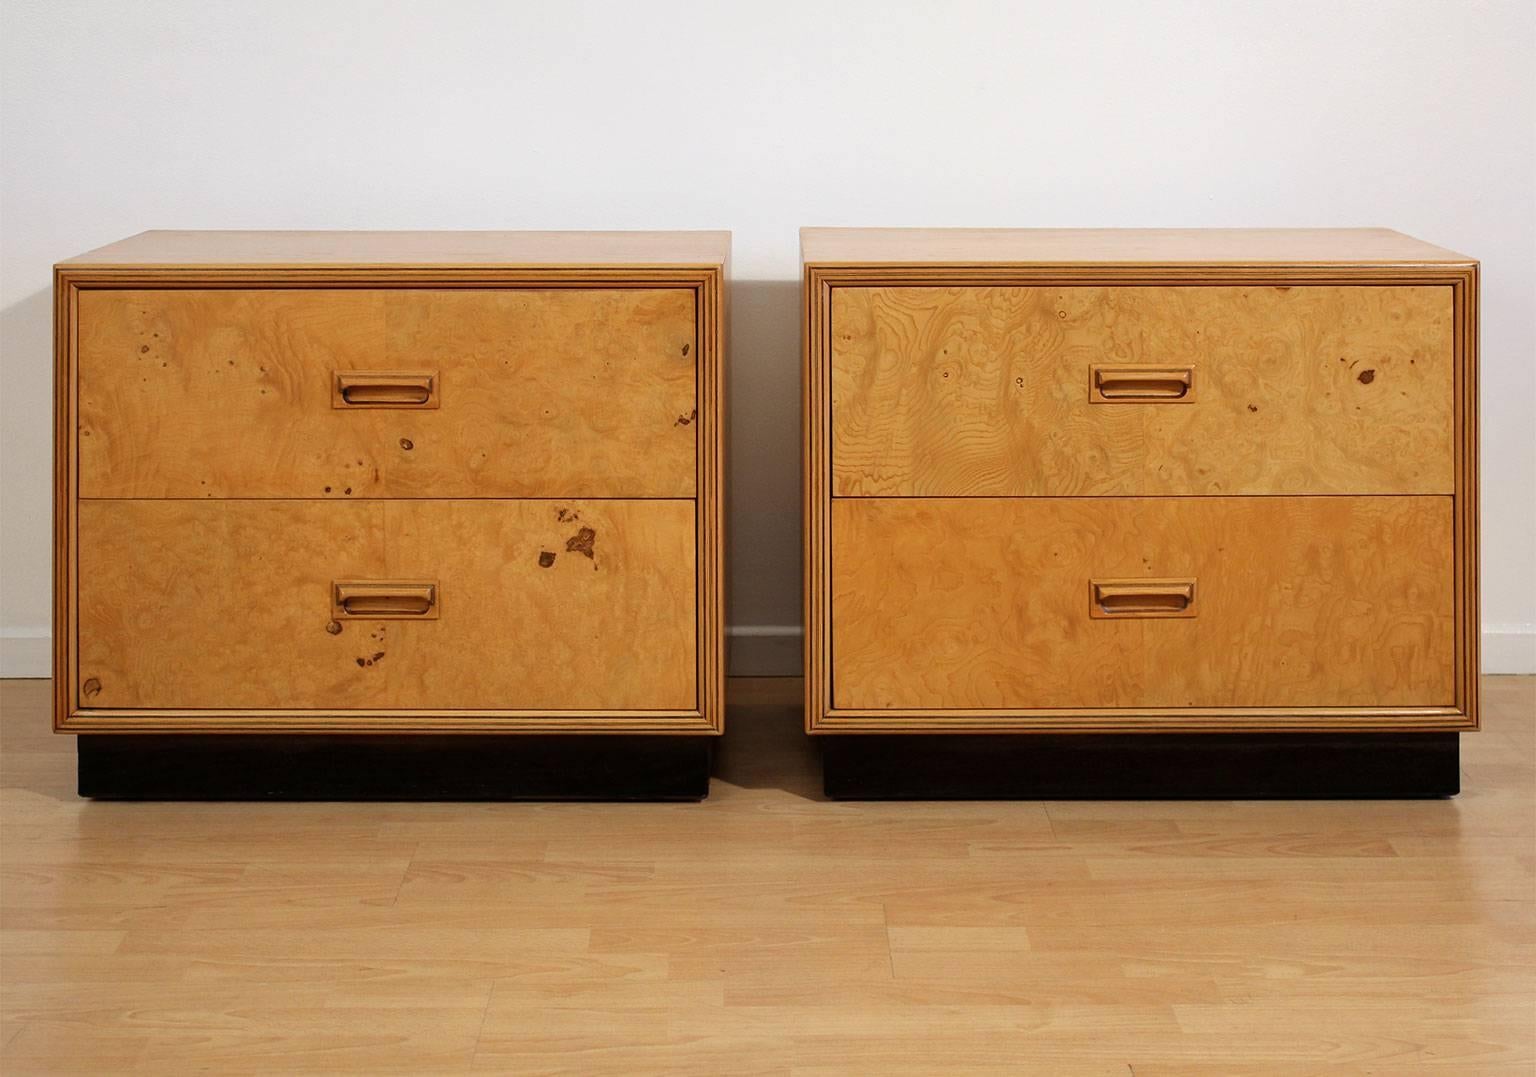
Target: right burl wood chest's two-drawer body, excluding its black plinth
1139 482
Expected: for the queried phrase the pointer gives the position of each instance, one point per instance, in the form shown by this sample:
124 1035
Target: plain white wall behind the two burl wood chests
761 119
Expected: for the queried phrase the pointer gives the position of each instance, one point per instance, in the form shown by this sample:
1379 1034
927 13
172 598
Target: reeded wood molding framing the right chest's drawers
821 717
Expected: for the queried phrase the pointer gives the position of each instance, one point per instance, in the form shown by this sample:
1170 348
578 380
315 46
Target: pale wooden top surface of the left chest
412 250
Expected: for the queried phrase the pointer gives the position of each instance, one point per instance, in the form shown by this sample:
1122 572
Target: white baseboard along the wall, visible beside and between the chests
772 651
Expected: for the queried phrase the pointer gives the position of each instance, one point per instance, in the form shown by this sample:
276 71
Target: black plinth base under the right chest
1142 767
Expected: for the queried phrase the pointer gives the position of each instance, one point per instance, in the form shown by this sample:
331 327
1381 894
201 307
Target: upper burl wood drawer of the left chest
494 393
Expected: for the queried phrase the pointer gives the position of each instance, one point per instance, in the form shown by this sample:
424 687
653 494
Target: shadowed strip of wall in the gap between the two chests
763 479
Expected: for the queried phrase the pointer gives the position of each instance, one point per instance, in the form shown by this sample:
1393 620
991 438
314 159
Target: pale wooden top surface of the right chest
915 247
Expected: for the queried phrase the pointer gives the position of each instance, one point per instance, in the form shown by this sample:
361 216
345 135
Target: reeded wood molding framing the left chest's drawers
706 277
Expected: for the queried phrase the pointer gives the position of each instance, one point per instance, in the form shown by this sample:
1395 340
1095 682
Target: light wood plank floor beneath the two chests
769 932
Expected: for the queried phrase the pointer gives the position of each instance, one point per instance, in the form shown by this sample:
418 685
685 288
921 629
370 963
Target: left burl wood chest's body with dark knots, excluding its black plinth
371 483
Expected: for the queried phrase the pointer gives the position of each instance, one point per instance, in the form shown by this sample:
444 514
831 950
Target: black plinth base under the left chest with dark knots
515 767
